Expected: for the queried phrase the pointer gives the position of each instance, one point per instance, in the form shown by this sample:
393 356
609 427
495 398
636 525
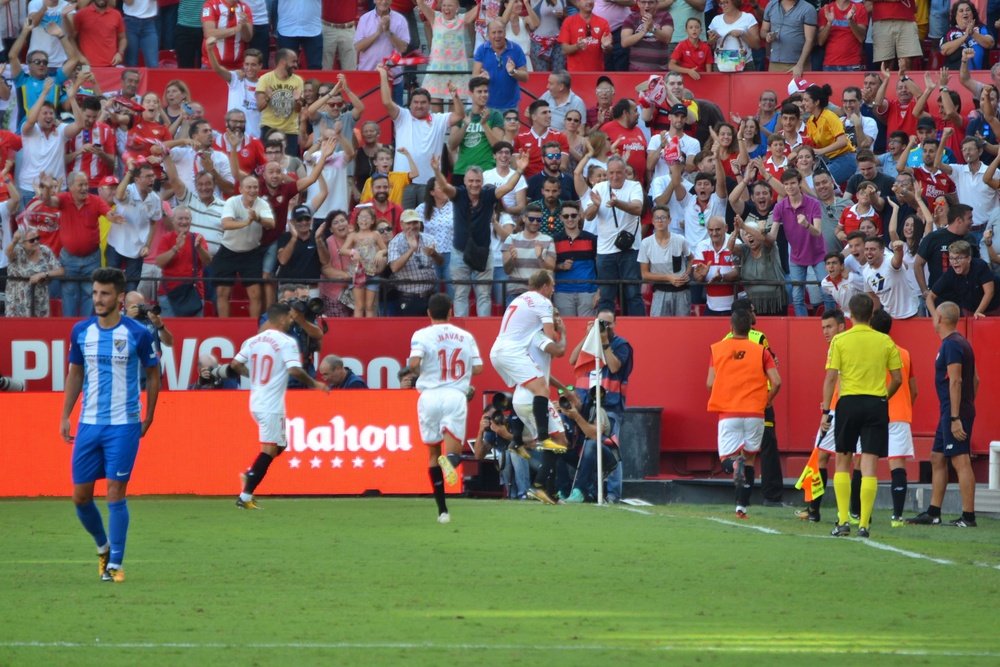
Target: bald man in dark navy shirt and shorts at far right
957 384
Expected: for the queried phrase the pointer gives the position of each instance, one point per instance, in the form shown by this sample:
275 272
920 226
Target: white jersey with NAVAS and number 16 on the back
447 356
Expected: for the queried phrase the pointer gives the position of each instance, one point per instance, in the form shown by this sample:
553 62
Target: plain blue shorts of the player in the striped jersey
105 452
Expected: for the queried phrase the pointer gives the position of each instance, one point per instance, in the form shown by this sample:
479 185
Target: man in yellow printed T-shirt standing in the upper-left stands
279 99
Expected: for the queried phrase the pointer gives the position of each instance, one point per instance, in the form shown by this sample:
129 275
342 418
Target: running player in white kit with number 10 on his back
268 359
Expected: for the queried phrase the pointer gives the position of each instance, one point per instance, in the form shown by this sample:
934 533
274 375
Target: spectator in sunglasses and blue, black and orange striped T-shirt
576 260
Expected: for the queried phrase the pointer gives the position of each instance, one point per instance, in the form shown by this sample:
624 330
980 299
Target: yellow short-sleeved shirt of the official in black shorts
862 356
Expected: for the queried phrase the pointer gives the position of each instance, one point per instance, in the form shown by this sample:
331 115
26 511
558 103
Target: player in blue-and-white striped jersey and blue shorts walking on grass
107 353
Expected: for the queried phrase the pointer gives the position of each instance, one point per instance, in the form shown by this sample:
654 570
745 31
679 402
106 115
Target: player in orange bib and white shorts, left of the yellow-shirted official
743 380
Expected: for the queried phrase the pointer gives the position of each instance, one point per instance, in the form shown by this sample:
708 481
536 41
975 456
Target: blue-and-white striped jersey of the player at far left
113 362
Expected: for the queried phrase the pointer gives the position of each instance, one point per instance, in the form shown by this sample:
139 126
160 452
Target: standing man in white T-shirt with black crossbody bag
616 204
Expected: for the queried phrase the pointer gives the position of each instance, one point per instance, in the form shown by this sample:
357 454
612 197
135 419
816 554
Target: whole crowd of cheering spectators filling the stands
651 201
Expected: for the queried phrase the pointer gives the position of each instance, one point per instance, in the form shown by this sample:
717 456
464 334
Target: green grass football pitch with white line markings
376 581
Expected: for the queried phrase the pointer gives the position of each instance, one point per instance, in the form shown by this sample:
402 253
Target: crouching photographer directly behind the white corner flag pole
584 418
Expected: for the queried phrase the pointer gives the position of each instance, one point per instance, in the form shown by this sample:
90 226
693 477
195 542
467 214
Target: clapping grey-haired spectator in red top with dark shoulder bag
182 253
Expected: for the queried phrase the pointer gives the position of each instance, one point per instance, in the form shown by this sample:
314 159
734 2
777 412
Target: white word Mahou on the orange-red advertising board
338 436
